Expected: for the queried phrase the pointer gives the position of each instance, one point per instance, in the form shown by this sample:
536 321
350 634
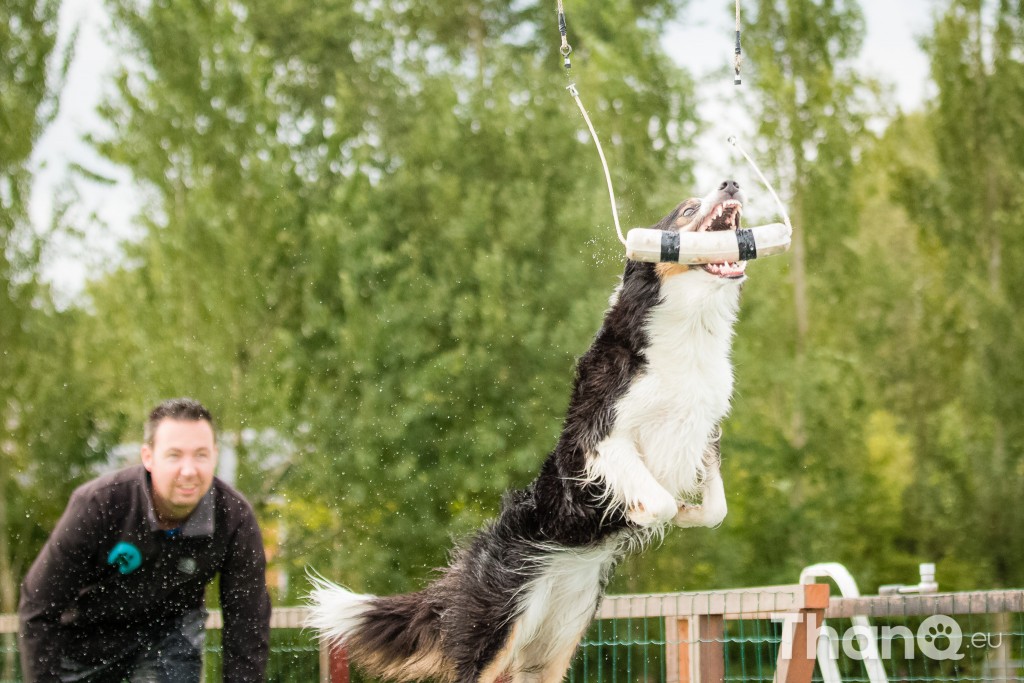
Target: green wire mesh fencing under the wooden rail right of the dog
911 649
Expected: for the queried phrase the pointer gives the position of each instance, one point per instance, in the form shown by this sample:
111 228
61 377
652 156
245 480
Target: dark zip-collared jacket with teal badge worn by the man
109 579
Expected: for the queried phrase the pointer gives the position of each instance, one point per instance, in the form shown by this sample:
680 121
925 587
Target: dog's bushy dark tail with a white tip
396 637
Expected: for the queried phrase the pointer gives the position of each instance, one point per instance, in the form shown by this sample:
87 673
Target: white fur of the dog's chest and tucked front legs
667 417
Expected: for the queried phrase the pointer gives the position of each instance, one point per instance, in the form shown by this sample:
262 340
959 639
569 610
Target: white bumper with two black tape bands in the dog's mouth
653 246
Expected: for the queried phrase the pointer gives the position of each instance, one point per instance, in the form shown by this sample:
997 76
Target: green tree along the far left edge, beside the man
47 408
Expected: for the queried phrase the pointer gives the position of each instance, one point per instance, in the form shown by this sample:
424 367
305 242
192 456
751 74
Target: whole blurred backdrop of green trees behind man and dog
375 238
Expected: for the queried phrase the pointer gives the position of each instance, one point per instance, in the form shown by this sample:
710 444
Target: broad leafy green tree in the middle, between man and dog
377 238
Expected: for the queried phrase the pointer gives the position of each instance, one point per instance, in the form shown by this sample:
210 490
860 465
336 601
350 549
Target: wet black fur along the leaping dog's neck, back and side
473 606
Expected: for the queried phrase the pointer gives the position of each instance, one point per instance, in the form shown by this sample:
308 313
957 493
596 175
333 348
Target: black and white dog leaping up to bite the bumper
638 447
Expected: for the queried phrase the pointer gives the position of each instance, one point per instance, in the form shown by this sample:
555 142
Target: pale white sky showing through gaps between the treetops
703 42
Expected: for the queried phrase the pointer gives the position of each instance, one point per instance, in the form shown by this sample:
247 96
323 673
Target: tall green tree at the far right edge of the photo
966 204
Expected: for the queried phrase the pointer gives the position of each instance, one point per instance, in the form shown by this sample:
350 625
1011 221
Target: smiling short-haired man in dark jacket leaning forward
118 590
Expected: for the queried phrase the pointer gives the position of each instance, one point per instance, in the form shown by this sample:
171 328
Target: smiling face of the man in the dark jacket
181 463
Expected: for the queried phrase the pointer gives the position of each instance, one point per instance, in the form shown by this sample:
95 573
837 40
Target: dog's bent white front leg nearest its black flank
619 466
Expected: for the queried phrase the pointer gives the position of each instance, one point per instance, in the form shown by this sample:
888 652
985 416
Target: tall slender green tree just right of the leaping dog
801 435
